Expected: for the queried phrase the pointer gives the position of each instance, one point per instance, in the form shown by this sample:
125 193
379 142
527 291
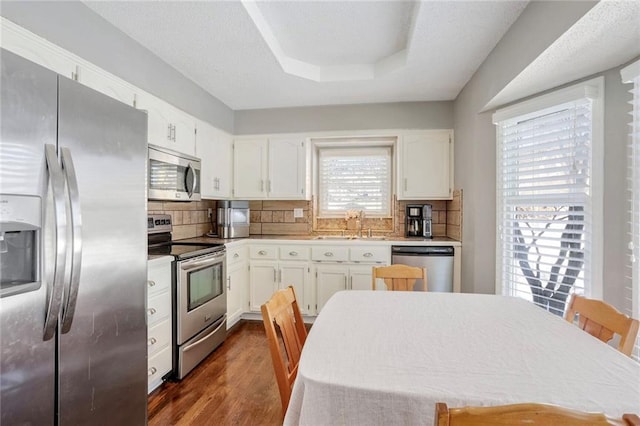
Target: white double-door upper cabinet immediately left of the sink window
273 168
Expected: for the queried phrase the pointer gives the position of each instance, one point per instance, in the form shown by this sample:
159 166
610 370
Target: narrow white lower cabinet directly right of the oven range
237 280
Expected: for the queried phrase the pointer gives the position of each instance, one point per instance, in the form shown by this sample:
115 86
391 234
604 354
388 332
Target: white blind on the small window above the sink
354 179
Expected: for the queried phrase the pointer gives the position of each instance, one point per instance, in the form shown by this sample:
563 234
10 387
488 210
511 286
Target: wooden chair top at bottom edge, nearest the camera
524 414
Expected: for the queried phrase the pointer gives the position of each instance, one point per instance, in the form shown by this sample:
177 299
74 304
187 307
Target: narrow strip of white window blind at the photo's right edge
631 74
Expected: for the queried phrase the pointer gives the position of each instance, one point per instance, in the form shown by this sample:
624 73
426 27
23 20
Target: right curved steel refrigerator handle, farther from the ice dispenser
76 239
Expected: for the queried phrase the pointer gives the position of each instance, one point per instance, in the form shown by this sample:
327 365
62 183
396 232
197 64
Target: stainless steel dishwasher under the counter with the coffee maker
437 259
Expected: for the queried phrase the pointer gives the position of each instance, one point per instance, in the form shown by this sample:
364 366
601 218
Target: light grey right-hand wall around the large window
475 148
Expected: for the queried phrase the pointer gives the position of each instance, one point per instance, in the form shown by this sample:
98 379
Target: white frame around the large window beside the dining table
536 107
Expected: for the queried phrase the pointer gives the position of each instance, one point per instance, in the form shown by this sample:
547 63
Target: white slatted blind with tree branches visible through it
545 202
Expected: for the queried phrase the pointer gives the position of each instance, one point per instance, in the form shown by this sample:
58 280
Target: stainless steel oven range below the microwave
199 294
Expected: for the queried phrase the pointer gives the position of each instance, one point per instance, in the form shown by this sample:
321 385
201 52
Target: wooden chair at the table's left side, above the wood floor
286 335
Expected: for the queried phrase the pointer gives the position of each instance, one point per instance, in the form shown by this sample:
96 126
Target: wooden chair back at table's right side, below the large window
602 320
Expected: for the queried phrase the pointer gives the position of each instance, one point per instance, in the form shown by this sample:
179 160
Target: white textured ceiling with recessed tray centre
298 53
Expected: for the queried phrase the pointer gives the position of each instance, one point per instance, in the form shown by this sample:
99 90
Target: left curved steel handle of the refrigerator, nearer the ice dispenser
56 291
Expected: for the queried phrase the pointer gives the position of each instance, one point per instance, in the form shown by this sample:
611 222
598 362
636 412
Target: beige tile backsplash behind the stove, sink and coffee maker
272 217
